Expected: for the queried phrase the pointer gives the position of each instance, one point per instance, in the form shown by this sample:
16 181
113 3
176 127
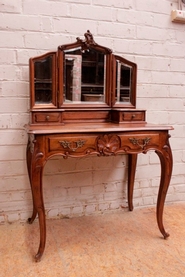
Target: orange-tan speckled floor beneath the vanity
120 244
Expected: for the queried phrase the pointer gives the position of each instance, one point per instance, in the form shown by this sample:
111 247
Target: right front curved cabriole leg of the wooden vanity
166 171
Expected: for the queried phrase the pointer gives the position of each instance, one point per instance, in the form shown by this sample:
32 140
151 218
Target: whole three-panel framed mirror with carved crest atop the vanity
82 74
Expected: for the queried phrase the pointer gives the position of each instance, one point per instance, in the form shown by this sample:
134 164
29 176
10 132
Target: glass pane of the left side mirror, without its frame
43 80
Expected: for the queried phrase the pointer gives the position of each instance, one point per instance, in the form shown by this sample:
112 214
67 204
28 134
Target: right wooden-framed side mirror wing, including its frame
124 83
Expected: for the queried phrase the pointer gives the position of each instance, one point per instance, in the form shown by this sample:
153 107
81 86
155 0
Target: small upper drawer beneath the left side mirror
46 117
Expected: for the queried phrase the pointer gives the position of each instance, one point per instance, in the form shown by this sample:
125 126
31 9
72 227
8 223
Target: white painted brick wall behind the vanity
139 30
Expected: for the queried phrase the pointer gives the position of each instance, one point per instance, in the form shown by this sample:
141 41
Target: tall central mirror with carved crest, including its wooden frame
84 74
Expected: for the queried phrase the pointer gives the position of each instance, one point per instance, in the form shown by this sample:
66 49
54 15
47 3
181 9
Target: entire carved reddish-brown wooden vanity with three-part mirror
83 102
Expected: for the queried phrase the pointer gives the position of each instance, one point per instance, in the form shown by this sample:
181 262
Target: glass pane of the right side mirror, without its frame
123 82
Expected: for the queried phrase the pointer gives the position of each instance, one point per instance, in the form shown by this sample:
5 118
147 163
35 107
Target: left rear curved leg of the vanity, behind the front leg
29 155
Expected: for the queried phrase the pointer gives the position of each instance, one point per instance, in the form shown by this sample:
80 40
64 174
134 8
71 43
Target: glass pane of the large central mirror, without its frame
84 76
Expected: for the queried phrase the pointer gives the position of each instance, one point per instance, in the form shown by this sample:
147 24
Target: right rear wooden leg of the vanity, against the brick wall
132 162
